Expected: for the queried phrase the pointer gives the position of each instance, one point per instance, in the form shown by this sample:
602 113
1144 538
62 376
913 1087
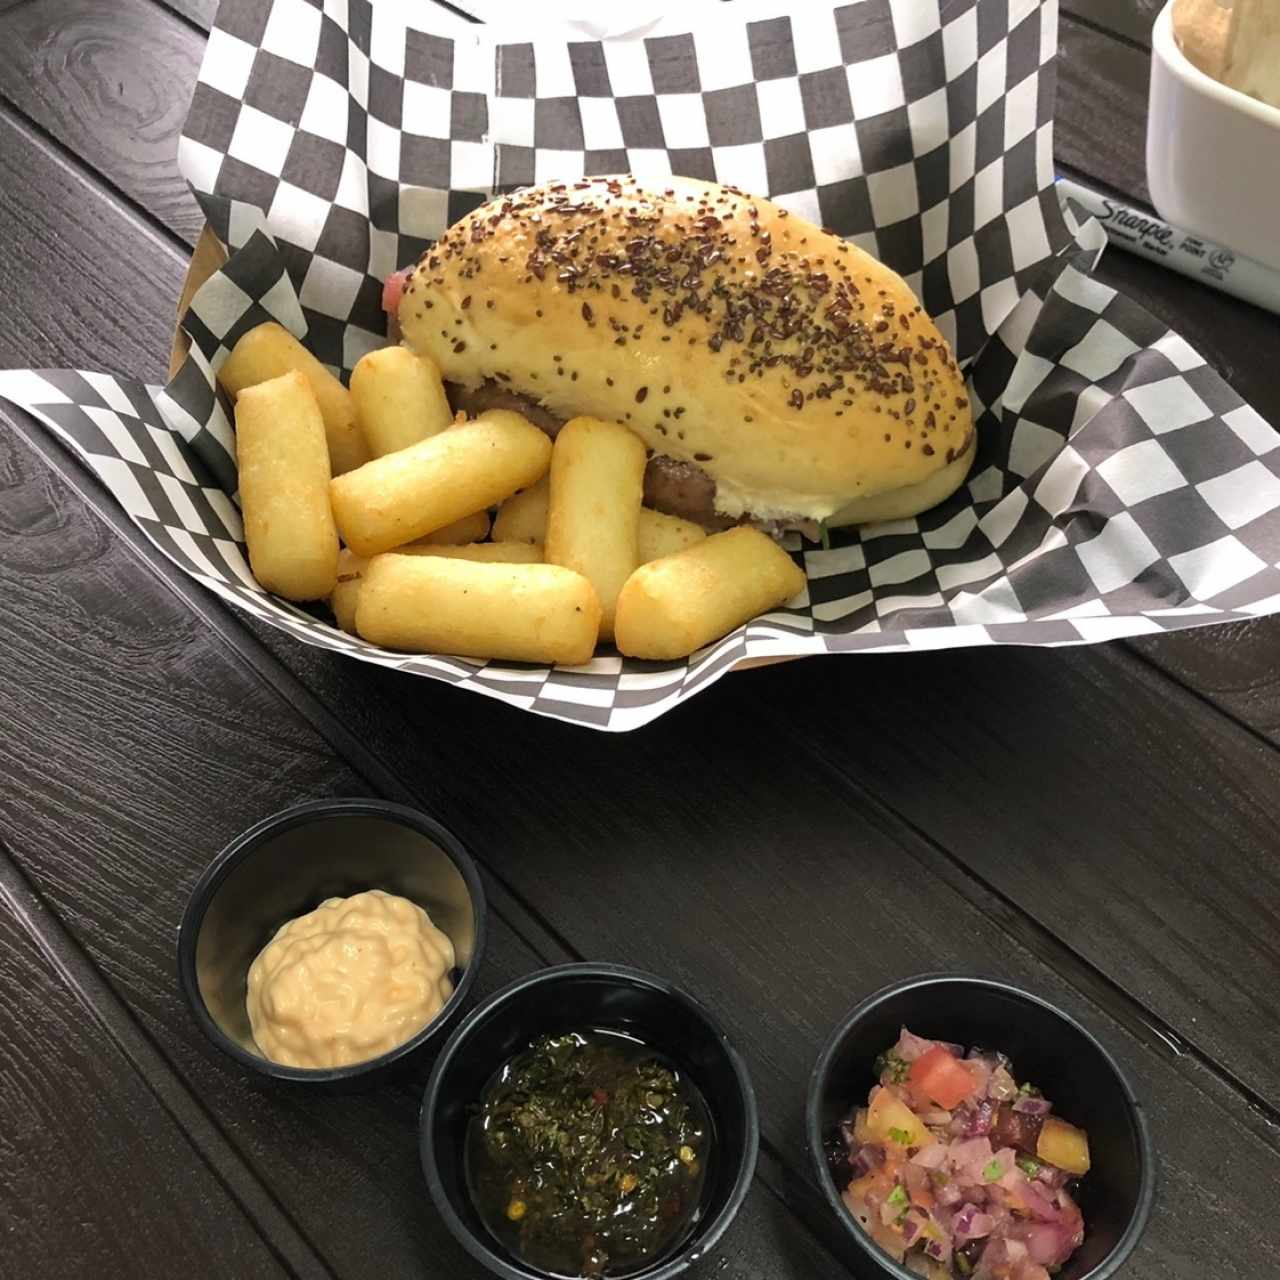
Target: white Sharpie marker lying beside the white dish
1145 235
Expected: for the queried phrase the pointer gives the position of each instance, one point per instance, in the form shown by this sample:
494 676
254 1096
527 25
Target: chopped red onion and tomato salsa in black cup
957 1169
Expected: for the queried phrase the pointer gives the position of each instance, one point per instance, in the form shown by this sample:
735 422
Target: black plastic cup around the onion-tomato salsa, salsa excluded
1050 1050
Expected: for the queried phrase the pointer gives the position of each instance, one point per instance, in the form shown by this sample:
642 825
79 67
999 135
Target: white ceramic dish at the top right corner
1213 154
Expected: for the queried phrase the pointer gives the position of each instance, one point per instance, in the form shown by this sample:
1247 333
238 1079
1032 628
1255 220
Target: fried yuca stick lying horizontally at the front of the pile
540 614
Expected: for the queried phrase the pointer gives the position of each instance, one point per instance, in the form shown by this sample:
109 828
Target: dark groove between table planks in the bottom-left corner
281 1235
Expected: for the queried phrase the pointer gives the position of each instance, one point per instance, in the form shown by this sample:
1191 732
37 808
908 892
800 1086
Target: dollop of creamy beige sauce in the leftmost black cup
349 981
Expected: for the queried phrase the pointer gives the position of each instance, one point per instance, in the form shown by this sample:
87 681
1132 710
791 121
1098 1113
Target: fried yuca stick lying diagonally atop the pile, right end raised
414 492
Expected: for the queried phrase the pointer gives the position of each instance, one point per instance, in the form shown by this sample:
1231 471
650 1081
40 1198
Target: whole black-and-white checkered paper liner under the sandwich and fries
1122 488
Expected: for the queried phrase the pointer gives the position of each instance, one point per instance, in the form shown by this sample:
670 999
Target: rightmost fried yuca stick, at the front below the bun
674 606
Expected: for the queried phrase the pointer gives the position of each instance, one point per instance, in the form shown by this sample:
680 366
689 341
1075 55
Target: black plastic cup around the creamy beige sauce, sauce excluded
287 866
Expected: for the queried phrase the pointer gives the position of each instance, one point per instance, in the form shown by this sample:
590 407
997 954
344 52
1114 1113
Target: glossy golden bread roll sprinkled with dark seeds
801 374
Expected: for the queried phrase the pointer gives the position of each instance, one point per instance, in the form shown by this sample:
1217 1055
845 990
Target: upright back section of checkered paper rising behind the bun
921 130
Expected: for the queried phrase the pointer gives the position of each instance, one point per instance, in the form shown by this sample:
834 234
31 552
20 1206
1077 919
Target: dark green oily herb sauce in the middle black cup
588 1155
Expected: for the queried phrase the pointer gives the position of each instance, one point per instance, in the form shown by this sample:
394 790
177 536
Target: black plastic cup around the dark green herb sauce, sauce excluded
589 998
